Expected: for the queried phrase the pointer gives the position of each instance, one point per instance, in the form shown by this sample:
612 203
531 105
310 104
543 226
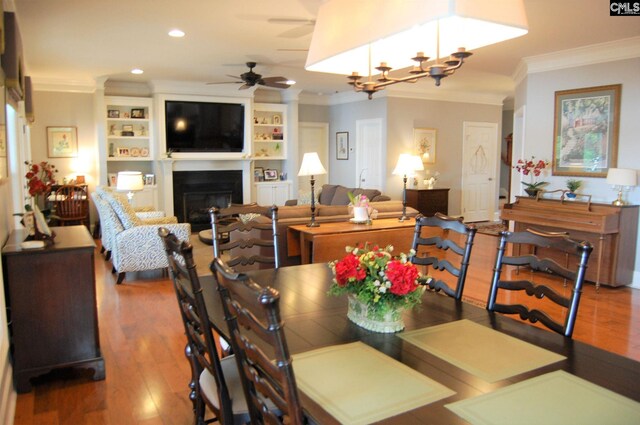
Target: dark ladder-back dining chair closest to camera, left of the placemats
252 314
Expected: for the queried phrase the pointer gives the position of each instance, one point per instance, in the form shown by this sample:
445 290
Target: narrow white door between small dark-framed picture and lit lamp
370 164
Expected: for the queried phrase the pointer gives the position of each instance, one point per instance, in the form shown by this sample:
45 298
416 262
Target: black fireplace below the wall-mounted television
194 192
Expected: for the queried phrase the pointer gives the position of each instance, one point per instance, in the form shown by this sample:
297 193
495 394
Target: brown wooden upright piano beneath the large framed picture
612 231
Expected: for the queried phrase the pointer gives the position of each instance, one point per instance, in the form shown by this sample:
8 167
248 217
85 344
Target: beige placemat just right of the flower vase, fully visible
481 351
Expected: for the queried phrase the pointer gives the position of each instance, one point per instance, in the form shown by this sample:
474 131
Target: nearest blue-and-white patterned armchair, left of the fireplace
133 237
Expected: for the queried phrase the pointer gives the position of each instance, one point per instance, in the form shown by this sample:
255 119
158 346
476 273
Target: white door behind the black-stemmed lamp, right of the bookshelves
312 137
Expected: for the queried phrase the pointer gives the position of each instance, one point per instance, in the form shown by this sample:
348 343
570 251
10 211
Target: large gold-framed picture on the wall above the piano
585 137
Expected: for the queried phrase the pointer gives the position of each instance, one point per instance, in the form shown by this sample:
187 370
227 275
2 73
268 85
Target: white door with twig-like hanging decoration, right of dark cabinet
479 168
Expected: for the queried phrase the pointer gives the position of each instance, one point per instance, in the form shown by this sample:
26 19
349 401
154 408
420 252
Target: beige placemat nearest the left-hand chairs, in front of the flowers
358 385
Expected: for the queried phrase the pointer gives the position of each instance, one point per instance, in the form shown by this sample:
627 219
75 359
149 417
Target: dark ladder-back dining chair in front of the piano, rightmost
542 253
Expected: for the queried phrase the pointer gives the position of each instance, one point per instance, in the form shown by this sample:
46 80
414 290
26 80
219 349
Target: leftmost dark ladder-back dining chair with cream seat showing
215 382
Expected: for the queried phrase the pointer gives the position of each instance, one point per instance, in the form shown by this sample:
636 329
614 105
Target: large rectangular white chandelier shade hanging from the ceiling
393 31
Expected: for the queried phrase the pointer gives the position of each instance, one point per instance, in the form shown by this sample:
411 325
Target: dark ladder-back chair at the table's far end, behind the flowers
247 235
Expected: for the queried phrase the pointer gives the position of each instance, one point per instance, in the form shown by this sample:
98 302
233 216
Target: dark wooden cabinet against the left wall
51 299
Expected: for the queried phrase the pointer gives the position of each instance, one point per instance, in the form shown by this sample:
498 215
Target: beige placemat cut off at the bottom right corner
554 398
